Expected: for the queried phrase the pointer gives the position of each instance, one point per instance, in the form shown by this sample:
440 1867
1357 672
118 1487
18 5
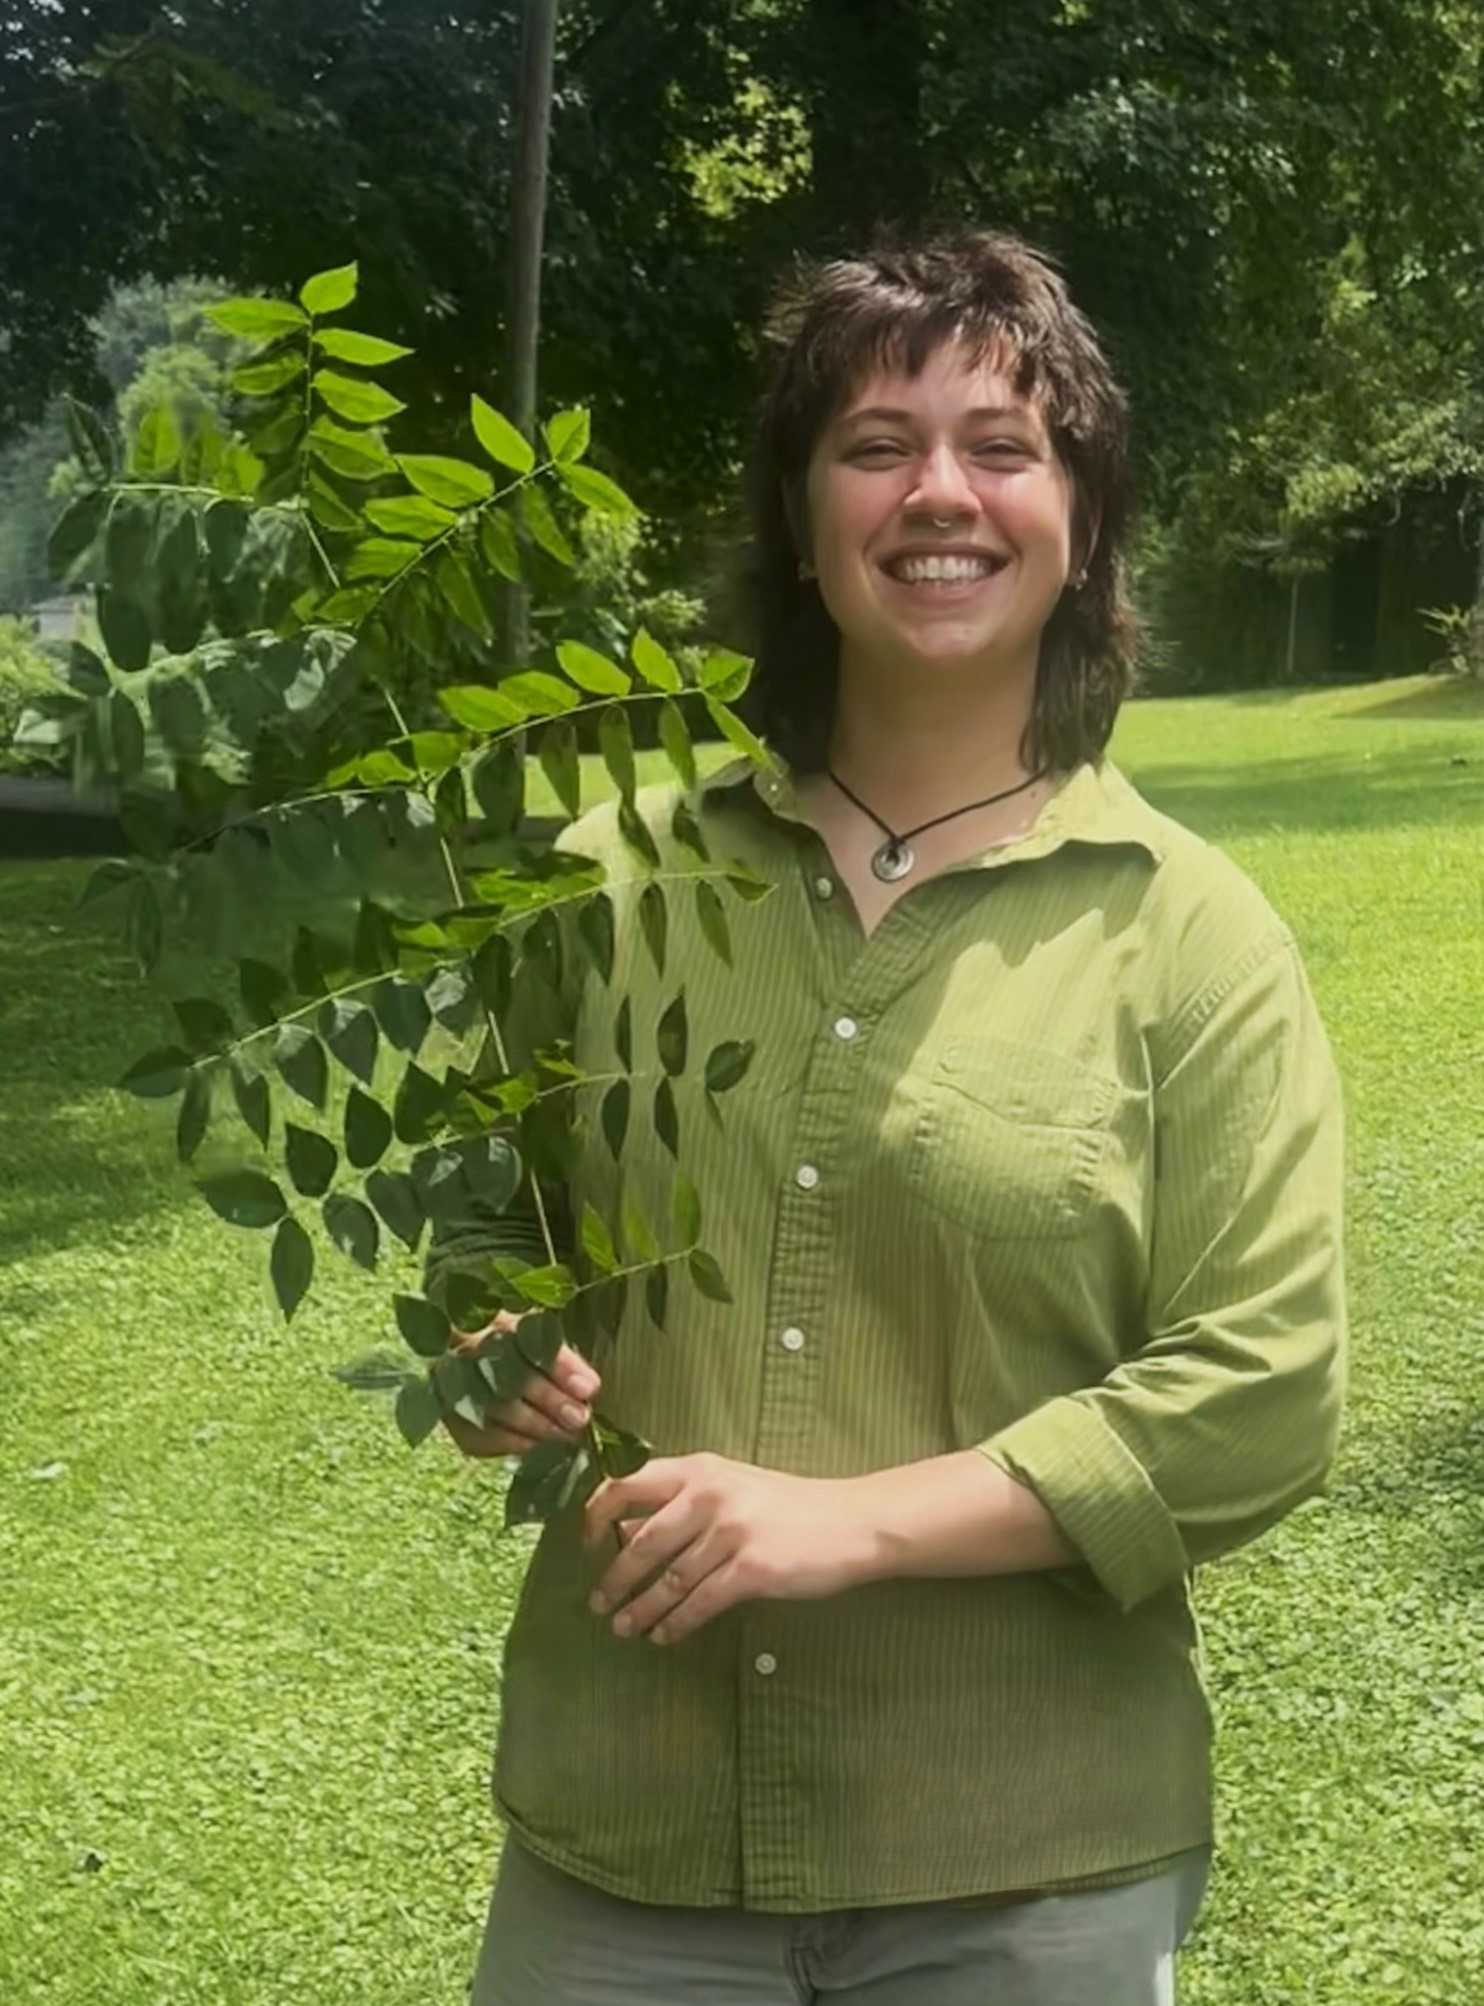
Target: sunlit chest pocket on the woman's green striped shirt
1010 1138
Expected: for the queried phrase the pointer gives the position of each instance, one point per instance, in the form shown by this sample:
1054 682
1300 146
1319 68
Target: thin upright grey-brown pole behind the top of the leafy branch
526 232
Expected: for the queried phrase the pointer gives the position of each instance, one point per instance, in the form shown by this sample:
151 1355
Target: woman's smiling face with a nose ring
940 519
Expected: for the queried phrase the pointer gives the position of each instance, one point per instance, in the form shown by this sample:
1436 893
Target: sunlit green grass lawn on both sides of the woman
248 1644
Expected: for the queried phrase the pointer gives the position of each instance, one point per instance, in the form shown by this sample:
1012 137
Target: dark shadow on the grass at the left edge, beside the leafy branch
75 1162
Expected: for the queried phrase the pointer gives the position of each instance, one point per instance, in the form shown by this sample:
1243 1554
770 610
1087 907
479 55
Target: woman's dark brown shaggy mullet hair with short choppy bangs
893 310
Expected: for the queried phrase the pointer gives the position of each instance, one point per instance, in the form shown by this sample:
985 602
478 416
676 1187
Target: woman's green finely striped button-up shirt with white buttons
1050 1164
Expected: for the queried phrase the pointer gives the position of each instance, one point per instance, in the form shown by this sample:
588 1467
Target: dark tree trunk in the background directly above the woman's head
867 117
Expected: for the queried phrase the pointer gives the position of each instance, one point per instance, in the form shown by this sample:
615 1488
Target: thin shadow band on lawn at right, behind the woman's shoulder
1425 787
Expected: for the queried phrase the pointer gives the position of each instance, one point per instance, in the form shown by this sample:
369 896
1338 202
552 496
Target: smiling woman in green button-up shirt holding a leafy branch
1032 1215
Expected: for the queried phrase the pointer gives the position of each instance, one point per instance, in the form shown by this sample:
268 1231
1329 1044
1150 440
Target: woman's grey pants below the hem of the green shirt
563 1943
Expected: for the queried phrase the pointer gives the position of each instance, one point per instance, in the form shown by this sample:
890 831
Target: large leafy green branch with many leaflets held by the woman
390 1050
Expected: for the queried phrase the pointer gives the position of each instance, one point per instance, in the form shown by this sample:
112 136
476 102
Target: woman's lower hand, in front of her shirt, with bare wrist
719 1534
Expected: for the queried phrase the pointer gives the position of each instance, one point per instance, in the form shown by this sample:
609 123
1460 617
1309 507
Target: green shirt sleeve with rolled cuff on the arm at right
1228 1411
